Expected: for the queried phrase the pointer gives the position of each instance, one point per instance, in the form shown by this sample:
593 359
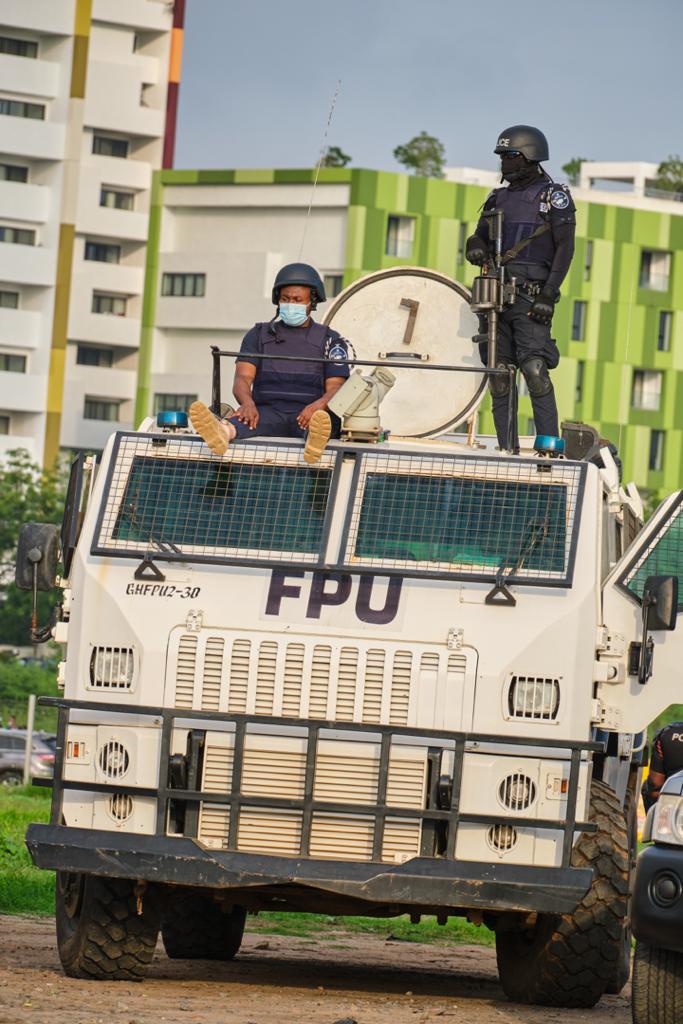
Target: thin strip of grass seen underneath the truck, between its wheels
321 926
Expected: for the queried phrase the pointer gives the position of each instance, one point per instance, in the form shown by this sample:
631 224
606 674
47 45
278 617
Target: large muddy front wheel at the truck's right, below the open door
570 960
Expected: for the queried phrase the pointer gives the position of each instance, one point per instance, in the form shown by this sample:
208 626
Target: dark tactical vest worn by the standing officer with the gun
523 214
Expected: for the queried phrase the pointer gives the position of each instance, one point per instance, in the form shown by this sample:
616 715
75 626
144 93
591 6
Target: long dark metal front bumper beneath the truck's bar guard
423 882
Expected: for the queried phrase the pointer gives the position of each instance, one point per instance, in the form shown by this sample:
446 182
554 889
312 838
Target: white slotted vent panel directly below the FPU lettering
328 681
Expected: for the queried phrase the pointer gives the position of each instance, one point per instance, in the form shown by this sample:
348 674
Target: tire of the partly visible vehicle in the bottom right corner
658 987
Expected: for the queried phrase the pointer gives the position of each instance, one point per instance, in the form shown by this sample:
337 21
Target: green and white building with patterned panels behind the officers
217 239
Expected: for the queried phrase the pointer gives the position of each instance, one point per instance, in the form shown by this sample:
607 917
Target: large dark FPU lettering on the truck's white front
330 590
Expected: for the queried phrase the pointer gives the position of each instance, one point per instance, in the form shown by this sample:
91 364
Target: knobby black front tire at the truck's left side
101 935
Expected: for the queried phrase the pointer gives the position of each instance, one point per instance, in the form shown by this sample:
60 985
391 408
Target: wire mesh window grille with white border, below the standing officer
465 517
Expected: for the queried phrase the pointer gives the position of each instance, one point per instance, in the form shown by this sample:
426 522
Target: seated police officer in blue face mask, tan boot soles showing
284 399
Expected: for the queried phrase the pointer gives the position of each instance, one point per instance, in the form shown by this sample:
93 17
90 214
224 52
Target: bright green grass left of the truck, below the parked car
24 889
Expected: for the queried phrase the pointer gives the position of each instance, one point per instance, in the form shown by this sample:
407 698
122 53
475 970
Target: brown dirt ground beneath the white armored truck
276 980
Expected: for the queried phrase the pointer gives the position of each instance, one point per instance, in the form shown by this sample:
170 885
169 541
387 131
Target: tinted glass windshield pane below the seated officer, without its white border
198 505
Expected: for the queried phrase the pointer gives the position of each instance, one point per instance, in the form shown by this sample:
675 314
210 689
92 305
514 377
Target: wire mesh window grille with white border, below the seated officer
258 503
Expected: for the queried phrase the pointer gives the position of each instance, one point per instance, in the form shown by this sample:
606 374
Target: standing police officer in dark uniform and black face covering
539 223
